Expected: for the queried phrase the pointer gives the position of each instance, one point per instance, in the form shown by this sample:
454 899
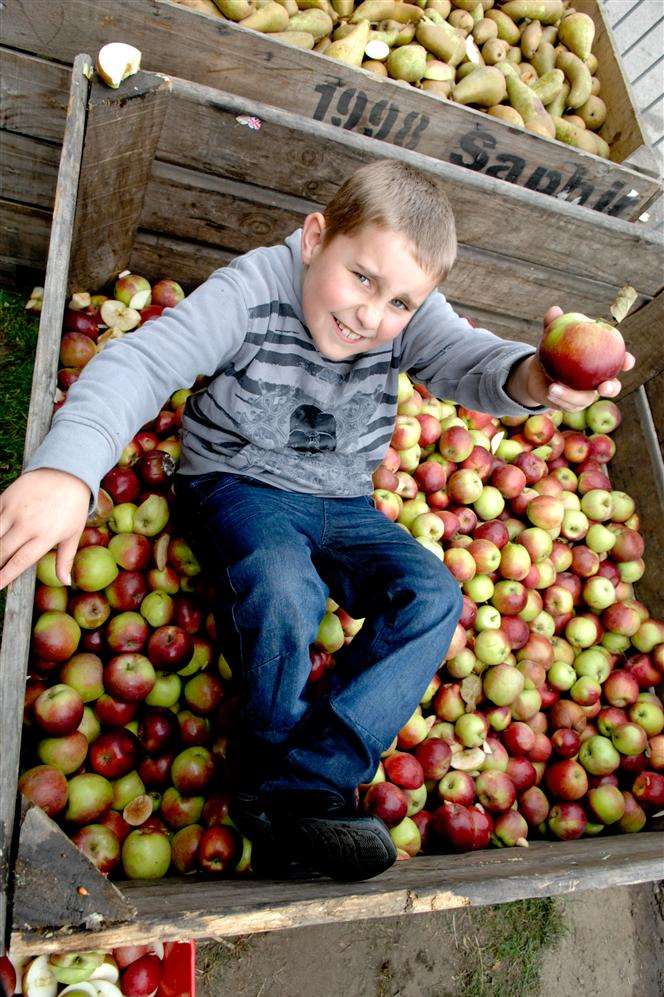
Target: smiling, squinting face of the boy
359 291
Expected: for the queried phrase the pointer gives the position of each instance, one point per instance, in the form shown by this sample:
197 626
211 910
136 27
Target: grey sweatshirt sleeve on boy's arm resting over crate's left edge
127 383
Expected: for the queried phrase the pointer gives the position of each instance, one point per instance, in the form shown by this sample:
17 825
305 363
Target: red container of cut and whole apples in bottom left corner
129 971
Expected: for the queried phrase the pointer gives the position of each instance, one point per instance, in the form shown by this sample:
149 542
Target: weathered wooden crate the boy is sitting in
240 188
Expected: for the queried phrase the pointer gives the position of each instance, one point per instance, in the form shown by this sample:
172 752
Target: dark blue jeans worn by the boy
275 556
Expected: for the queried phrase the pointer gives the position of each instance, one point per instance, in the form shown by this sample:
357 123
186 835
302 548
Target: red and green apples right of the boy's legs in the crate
543 719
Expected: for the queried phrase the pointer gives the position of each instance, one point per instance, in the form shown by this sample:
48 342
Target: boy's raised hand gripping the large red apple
531 384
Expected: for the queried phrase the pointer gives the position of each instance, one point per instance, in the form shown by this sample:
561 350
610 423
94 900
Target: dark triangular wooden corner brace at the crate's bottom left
55 884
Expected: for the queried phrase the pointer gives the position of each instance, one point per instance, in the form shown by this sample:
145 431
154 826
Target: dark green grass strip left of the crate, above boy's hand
18 339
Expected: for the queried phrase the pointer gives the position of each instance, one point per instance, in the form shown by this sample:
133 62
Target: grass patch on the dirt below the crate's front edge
501 946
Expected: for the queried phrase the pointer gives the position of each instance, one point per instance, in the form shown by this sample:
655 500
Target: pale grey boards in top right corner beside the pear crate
638 30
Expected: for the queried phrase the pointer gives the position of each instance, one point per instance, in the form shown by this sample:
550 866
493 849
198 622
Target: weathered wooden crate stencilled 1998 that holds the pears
42 37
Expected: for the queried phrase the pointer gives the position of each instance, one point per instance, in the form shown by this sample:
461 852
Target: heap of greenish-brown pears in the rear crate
528 62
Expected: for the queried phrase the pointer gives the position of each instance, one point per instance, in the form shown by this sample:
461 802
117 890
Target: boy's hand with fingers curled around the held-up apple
530 384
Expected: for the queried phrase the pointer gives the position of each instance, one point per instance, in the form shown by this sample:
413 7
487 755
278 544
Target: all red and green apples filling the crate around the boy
542 720
